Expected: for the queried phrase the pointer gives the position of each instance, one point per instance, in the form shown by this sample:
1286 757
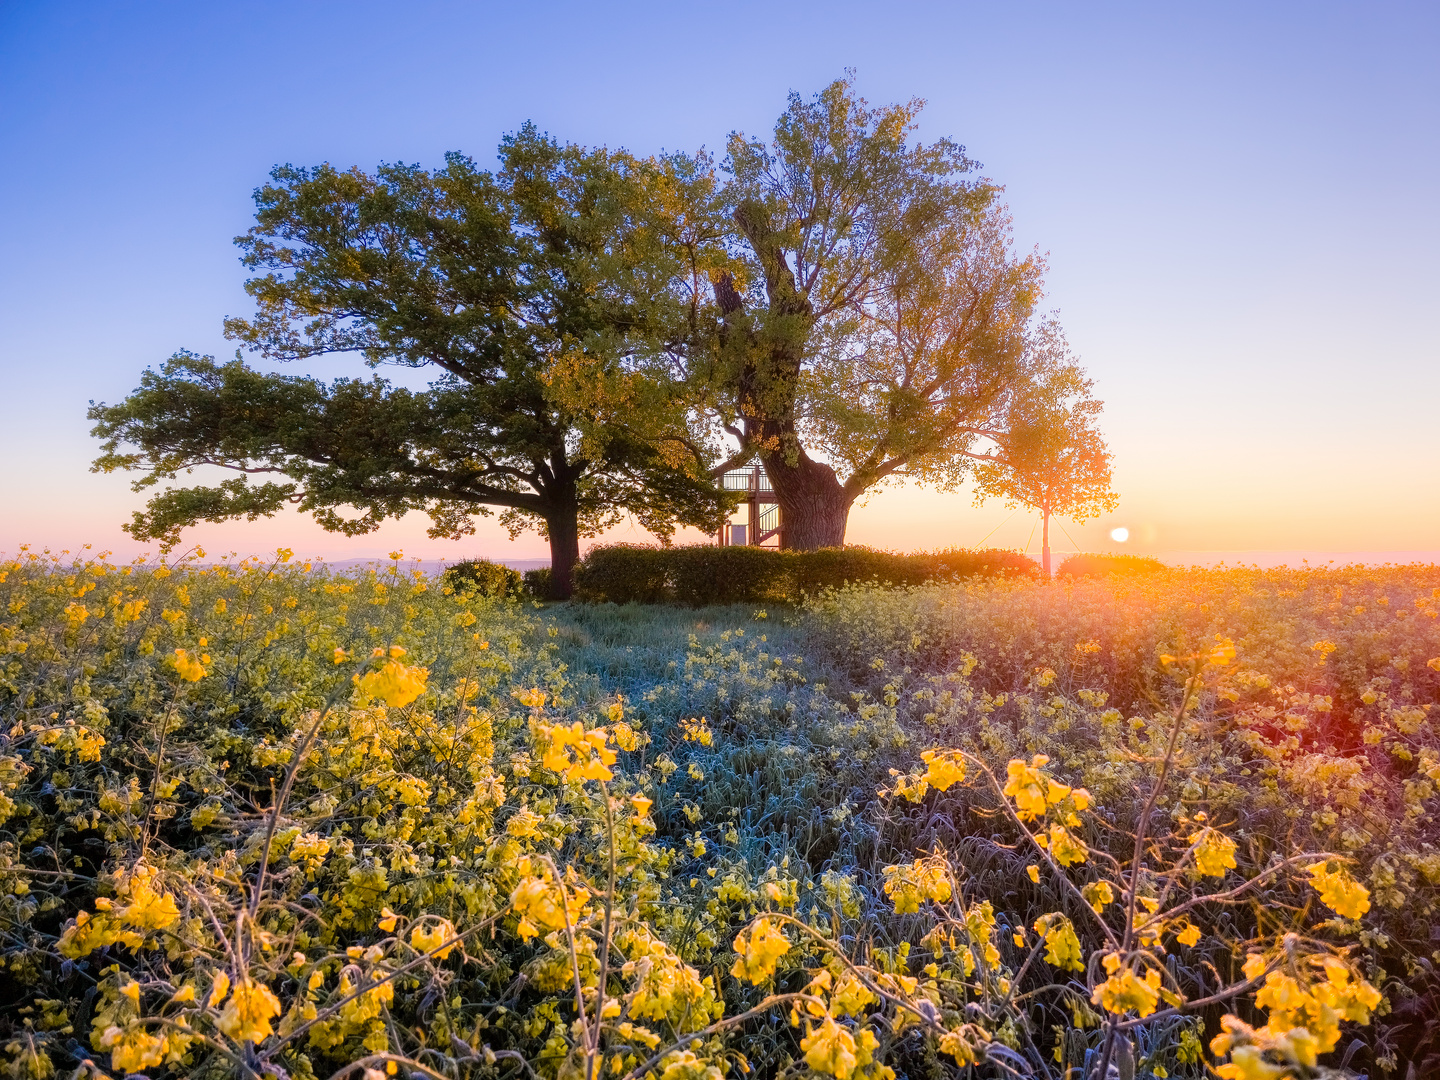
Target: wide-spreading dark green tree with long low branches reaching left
544 303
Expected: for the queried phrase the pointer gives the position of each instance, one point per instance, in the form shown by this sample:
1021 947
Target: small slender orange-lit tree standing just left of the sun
1052 457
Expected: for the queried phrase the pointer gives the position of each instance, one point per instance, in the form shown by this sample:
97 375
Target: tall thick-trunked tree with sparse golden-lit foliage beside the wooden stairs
873 319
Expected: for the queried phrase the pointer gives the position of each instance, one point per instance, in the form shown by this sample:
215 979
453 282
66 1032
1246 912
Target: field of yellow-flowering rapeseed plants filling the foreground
267 820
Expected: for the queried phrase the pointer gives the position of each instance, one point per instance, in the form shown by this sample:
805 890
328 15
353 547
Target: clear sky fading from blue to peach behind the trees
1239 205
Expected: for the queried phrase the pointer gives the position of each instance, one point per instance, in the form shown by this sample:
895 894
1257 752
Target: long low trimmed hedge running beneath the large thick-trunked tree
702 574
